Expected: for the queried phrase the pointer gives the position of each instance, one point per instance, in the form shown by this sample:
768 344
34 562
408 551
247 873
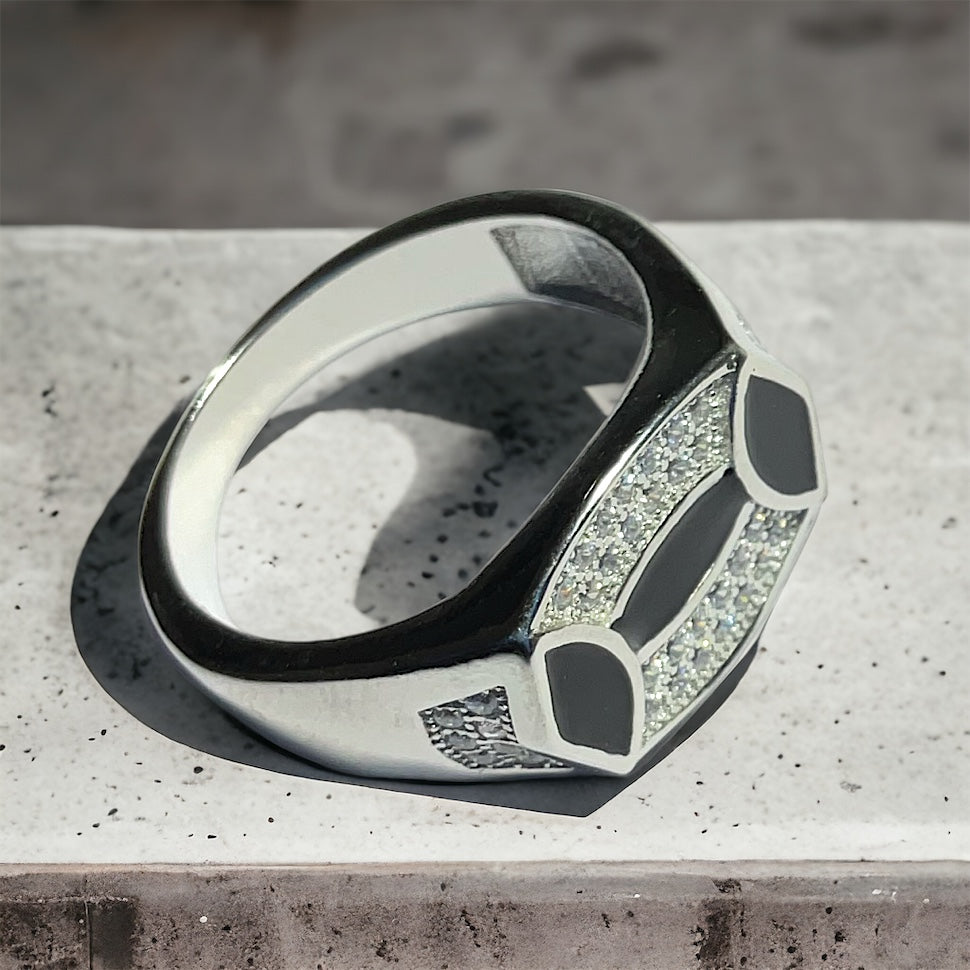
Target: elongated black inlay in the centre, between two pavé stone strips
682 561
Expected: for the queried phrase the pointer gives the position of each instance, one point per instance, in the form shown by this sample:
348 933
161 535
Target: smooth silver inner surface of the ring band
486 262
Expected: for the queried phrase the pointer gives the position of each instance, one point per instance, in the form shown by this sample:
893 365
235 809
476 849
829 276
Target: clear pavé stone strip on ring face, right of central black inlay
691 658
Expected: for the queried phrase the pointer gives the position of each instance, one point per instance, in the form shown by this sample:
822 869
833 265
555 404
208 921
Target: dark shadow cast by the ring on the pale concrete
118 642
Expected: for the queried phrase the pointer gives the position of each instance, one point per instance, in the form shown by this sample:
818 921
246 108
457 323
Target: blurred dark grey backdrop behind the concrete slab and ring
290 113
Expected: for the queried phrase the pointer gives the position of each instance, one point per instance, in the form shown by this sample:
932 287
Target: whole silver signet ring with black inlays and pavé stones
621 613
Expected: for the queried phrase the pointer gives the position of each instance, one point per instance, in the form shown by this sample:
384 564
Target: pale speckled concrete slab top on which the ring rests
847 740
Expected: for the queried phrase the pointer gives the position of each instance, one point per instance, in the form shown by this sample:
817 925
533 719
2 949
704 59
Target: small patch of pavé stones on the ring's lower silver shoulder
477 732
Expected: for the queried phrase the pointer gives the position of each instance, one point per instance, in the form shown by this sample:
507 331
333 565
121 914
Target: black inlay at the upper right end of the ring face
778 432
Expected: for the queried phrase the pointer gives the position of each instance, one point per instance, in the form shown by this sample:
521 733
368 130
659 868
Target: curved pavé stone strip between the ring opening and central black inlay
693 442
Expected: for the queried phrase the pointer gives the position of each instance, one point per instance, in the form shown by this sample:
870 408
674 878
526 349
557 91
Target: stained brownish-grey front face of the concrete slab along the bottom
540 917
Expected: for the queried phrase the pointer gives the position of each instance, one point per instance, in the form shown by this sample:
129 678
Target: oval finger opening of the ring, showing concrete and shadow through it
388 481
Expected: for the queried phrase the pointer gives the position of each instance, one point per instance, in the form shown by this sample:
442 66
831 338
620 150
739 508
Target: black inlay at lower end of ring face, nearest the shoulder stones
592 698
